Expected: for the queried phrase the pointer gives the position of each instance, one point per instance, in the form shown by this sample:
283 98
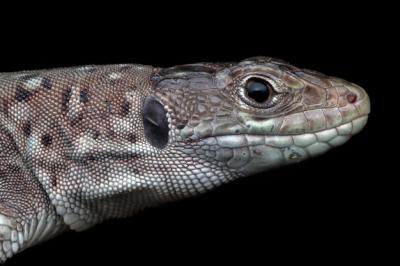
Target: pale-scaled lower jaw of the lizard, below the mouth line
250 153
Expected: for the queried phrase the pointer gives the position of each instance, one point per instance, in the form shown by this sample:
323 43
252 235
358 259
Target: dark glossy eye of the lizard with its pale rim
260 93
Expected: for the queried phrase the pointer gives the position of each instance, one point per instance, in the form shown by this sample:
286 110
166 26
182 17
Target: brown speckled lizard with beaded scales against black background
81 145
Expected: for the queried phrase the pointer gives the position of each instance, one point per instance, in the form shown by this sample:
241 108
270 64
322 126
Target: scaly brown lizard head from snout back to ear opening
254 115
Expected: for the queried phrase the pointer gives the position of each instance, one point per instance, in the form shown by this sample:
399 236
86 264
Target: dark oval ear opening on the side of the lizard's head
155 123
